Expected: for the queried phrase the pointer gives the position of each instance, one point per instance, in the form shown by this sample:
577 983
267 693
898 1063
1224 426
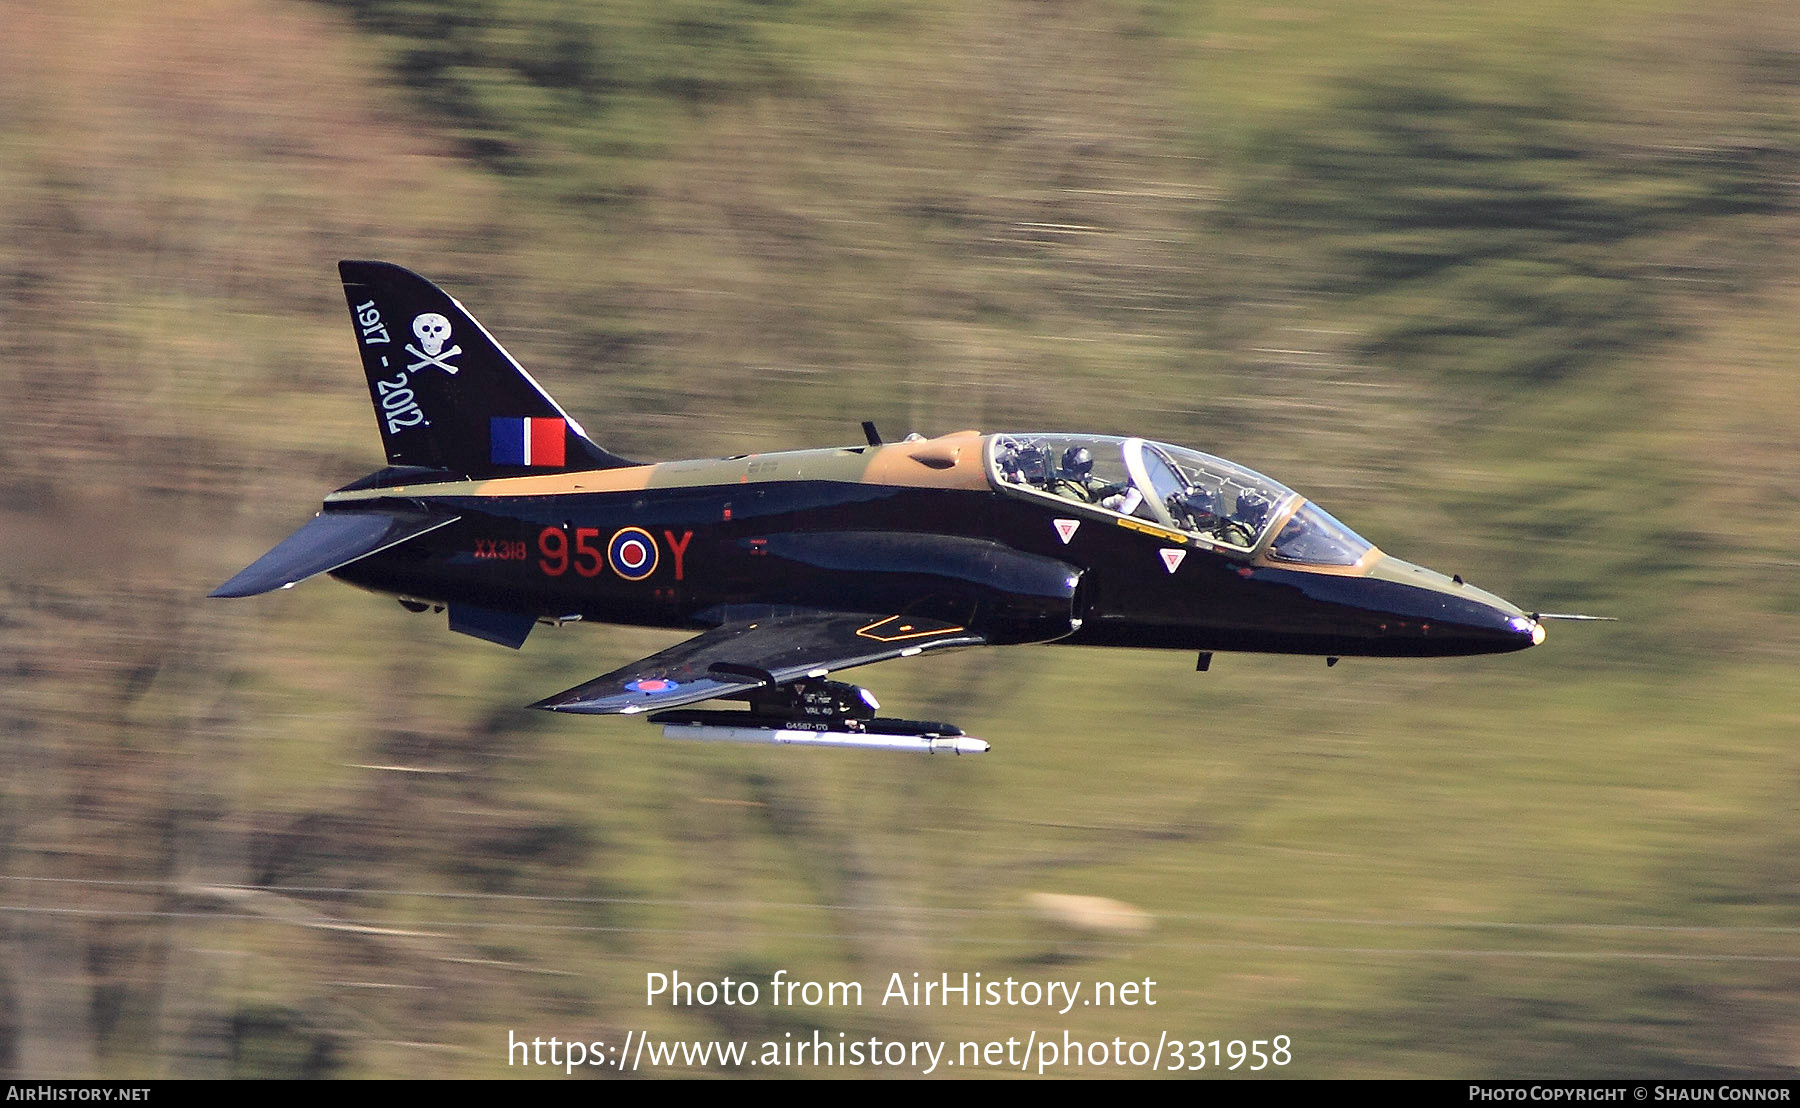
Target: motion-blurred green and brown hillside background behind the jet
1509 289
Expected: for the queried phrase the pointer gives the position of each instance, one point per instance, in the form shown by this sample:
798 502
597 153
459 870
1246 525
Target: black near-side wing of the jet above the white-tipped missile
751 654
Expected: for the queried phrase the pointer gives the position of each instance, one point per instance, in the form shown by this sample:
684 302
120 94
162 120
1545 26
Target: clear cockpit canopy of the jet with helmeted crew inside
1198 494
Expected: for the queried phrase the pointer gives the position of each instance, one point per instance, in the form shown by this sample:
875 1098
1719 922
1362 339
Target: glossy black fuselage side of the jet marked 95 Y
681 557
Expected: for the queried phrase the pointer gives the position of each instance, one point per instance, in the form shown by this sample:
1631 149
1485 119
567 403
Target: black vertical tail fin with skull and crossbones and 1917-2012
445 393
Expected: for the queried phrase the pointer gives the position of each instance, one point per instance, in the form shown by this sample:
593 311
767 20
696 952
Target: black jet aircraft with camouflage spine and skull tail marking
499 508
